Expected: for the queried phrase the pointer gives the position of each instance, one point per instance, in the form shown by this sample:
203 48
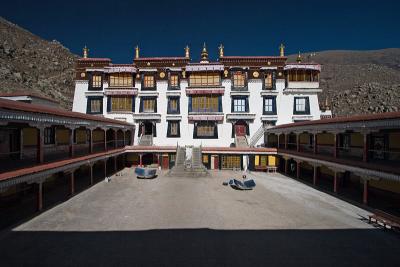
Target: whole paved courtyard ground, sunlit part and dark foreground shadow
171 221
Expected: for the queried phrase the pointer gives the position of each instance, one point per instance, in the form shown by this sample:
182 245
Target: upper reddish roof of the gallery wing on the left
20 106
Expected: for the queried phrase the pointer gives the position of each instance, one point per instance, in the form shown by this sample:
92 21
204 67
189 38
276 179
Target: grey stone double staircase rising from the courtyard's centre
188 167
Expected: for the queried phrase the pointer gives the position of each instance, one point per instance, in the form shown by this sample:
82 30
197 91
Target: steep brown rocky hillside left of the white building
29 63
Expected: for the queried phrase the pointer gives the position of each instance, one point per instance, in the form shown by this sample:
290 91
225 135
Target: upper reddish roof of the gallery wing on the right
357 118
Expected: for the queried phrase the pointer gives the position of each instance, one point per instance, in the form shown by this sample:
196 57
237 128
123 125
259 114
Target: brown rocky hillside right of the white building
358 82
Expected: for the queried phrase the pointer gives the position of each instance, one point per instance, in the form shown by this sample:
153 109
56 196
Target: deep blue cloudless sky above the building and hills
163 28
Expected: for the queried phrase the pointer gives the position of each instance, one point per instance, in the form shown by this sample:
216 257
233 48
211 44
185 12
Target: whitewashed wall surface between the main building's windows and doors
284 102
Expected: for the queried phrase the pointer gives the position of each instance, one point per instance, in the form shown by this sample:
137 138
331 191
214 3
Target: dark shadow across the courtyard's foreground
202 247
